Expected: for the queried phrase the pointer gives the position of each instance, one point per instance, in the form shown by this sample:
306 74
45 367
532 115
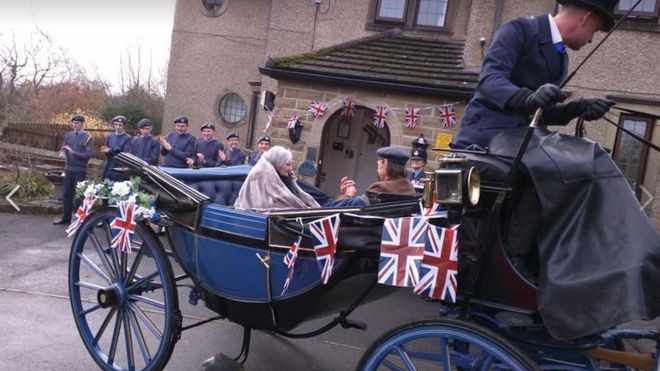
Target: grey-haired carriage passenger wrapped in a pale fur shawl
271 185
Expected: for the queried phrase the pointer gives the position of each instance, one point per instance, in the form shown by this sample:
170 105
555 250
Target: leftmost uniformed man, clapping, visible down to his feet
77 150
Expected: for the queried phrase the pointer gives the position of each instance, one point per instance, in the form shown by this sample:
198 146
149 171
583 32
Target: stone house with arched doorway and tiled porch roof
226 54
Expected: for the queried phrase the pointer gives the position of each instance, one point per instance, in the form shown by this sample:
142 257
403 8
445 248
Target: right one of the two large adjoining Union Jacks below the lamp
440 265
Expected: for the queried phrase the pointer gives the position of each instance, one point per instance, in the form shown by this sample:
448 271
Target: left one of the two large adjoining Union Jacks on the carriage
401 251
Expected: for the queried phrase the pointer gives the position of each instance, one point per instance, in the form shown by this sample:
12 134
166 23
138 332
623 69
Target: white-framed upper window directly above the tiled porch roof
412 13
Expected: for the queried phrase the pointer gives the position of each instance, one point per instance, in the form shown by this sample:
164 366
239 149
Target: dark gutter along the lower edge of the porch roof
276 73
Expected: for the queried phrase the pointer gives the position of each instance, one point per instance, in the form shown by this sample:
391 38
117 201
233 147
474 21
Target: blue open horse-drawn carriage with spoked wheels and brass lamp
126 308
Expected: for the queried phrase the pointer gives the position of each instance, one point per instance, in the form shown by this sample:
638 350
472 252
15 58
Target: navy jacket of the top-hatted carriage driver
522 55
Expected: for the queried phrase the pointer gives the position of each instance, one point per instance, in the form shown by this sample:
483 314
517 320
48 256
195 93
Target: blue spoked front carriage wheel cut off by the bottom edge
443 344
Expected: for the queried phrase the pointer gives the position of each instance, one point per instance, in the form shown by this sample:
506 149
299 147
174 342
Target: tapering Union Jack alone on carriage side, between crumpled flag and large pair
324 237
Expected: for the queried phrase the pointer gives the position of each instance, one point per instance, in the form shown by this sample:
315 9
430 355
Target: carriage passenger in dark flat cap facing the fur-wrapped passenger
391 179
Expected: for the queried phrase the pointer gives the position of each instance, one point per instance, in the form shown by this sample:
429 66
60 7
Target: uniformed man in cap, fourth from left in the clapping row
177 147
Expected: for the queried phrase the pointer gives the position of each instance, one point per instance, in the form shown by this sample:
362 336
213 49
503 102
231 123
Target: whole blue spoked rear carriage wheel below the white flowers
125 305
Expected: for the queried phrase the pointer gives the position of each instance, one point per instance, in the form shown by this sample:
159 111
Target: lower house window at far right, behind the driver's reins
629 153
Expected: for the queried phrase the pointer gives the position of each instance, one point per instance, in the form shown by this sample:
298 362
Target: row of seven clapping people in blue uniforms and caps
179 149
